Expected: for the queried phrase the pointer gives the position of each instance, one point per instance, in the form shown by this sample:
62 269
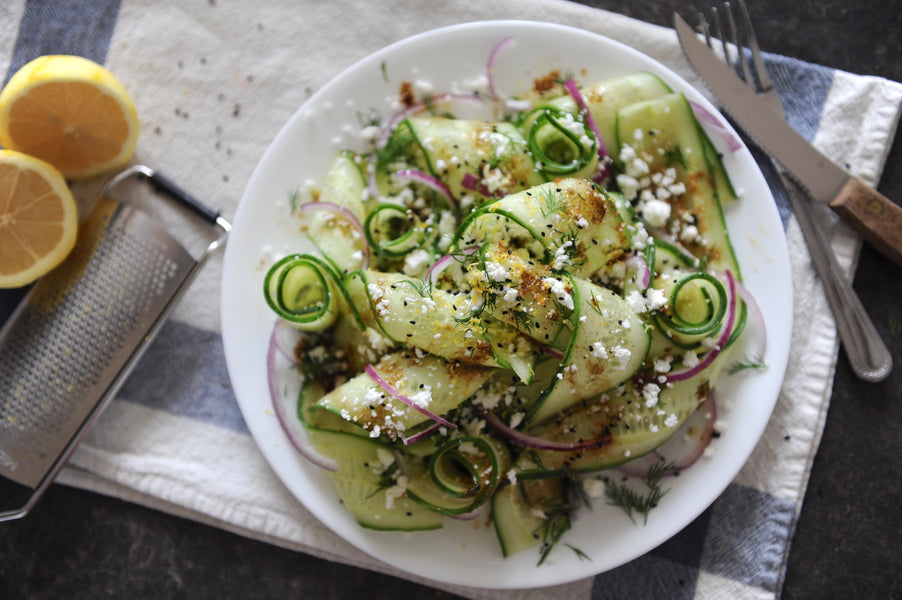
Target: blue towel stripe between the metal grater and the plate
184 373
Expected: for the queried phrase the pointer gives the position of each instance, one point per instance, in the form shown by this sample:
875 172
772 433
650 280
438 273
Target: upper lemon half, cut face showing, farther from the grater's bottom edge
72 113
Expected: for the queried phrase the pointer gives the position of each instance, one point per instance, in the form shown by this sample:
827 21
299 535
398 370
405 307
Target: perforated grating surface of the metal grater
63 346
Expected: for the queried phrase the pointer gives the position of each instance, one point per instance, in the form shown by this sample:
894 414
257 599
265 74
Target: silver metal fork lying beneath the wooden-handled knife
868 355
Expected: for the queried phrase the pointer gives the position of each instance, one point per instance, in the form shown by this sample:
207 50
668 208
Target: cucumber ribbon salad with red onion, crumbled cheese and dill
517 305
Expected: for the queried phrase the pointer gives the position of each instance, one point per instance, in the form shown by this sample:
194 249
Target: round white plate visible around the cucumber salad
466 553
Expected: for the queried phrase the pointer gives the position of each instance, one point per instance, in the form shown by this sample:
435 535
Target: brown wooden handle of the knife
874 215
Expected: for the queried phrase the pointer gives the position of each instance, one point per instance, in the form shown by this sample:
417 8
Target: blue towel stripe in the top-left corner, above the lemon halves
82 27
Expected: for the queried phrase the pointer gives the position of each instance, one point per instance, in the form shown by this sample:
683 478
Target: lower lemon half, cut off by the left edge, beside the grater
38 218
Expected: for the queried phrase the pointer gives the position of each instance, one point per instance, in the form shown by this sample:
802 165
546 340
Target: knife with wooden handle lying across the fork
872 214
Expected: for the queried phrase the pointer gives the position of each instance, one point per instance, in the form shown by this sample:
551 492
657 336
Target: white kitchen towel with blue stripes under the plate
214 81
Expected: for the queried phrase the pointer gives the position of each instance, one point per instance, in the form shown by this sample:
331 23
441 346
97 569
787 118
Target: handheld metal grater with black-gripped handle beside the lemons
75 336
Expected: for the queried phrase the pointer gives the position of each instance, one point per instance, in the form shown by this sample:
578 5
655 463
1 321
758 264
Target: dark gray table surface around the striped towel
82 545
